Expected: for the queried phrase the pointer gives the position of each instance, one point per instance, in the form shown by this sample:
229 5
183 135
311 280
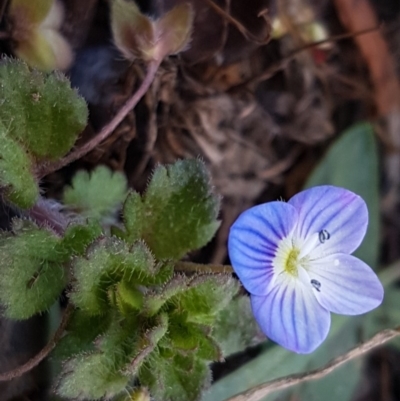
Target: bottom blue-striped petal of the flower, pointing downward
291 316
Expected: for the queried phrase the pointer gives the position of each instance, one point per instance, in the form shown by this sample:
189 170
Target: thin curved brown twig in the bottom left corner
12 374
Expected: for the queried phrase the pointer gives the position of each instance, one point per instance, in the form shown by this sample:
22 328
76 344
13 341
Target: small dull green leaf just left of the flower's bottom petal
235 328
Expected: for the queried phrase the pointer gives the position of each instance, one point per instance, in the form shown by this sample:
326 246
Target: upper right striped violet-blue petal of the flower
338 216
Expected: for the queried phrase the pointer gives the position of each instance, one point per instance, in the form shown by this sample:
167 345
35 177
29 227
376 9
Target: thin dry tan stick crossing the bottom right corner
261 391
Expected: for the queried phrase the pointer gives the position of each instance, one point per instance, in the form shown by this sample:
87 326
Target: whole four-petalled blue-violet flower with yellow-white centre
294 259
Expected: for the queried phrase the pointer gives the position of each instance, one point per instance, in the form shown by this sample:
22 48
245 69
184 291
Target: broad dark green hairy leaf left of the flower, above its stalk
177 213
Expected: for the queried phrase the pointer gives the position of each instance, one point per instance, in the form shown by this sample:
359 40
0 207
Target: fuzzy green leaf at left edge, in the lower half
32 272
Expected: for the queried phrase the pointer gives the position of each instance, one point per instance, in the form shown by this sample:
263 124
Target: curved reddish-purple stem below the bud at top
107 130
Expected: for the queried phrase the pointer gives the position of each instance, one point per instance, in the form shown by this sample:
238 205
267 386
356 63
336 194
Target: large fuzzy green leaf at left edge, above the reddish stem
41 111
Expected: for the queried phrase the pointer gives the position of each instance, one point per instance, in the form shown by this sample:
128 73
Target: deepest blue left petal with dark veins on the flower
253 241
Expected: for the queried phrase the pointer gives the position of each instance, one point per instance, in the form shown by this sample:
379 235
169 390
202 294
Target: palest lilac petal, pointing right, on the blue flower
347 285
